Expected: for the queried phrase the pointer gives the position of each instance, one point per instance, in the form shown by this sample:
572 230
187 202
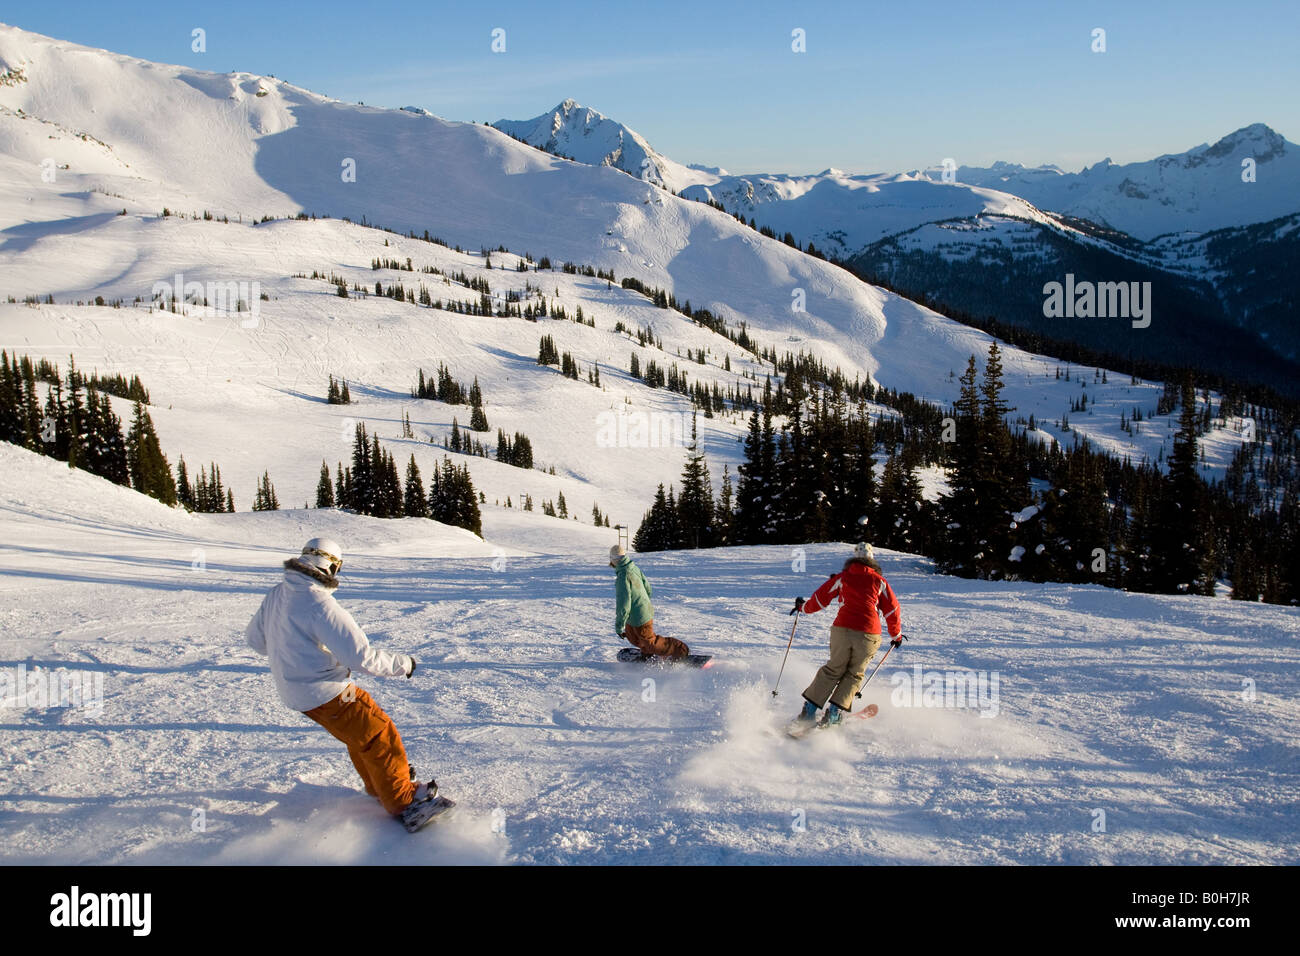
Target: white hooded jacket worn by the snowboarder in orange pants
314 644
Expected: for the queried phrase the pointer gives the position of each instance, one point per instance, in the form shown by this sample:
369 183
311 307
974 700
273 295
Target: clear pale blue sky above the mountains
882 86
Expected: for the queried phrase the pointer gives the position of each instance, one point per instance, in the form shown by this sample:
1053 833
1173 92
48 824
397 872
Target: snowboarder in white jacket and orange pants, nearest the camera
314 646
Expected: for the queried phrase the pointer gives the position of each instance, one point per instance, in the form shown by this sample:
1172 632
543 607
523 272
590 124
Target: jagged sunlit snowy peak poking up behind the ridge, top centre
587 136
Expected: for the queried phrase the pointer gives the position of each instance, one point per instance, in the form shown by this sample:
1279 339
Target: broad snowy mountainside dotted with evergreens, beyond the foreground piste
250 399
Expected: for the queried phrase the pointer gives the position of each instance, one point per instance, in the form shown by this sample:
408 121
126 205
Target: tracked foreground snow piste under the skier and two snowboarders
556 752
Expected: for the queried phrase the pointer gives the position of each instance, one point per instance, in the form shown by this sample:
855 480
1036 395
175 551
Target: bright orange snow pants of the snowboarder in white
374 745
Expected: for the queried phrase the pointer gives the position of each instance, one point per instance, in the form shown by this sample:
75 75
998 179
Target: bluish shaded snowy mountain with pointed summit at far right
1193 192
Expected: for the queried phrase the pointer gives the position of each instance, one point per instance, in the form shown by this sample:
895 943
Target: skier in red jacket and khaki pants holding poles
865 598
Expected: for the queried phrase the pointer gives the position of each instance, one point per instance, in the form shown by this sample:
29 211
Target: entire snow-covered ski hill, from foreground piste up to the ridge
556 754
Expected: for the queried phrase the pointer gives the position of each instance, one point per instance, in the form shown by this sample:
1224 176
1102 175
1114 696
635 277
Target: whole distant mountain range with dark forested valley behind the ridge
1212 228
